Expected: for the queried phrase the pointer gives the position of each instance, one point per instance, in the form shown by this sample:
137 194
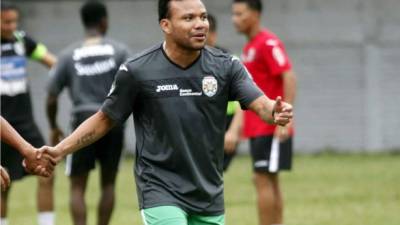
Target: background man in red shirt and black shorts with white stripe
271 147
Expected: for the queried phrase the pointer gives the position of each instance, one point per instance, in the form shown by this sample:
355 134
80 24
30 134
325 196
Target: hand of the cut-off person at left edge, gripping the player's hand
42 166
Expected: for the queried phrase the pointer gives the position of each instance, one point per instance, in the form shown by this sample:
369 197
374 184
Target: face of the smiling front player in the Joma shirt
188 24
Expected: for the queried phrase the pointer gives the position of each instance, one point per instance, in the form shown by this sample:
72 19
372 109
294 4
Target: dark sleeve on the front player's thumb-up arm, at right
242 88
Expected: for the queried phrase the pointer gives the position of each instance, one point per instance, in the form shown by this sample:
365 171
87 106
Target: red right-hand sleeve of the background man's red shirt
275 57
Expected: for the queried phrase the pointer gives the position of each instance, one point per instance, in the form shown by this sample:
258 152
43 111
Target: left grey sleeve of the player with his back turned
58 76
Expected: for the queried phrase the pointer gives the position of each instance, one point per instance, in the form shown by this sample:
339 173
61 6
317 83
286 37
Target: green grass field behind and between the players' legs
323 189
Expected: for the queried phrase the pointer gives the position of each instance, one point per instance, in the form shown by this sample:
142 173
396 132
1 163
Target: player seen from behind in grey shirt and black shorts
87 68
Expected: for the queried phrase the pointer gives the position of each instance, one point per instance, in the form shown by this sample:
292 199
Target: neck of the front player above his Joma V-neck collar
180 56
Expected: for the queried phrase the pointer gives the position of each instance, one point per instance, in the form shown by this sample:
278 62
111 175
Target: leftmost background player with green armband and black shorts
16 107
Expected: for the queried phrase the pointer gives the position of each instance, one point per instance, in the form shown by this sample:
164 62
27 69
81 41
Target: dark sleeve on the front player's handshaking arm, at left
120 100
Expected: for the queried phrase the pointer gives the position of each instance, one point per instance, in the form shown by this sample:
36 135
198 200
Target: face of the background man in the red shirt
243 17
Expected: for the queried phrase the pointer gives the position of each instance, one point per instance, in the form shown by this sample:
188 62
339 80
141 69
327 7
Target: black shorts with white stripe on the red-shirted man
269 155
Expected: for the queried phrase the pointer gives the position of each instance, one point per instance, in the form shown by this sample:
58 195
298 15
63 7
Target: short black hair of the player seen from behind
92 13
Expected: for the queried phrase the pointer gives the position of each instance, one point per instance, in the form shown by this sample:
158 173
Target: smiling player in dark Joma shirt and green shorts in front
178 93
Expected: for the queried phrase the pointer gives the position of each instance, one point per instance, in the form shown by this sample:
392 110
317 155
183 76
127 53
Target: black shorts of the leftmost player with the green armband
11 159
